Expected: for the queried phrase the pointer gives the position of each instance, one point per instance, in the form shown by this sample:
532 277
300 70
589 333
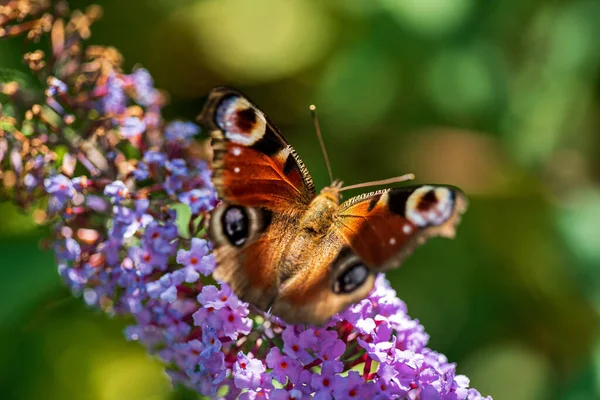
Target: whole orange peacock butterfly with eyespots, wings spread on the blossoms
284 248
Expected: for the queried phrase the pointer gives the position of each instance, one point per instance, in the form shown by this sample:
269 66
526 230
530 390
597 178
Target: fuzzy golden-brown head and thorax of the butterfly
321 211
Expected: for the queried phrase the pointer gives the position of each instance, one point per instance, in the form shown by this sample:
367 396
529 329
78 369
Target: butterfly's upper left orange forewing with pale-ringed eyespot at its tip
253 164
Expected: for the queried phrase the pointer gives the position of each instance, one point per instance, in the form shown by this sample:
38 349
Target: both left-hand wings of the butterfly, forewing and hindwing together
264 187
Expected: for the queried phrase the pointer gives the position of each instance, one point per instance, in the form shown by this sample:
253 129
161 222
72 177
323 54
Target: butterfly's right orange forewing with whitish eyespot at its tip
384 227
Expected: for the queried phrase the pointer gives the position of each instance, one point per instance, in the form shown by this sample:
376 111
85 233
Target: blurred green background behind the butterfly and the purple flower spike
500 98
